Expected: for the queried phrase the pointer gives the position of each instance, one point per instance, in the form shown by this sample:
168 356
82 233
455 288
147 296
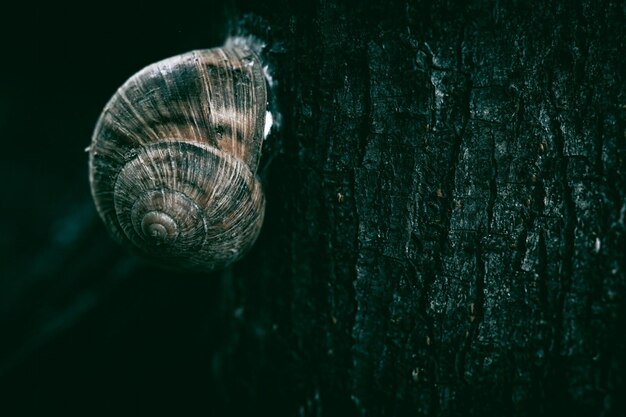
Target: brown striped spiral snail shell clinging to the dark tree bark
174 156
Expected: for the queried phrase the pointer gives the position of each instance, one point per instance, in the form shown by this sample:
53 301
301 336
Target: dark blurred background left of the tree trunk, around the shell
86 329
